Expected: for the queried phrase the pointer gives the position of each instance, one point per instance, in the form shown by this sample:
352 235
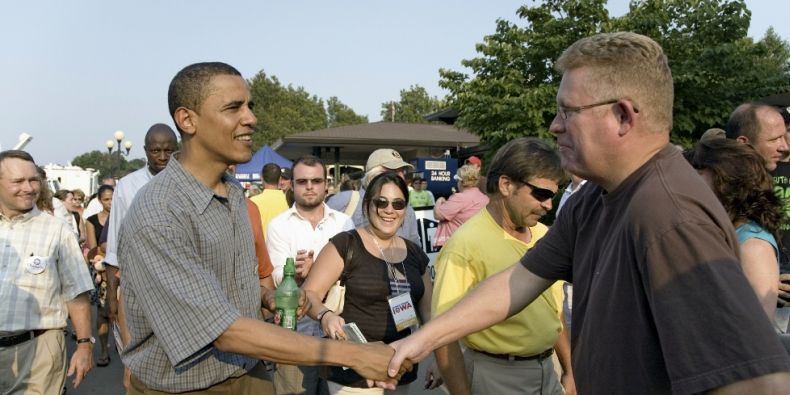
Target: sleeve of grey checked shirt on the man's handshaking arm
184 302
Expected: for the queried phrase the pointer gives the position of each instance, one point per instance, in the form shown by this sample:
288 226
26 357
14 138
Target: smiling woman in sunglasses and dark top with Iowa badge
388 290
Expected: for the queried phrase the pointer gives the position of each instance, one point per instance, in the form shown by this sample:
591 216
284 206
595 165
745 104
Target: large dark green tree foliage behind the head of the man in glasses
511 86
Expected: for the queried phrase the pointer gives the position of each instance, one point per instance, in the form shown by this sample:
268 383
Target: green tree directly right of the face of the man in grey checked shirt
283 110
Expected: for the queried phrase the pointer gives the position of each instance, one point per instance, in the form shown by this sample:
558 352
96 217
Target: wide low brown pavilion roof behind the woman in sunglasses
352 144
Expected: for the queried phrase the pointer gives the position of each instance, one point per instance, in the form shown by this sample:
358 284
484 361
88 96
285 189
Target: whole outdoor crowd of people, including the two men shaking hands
676 258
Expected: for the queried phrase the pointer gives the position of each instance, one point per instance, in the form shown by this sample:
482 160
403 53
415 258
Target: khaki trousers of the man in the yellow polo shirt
490 375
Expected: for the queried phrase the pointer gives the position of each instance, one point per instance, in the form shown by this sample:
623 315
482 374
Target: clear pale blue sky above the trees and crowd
74 72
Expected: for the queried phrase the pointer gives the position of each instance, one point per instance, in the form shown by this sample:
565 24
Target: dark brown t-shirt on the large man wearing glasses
660 301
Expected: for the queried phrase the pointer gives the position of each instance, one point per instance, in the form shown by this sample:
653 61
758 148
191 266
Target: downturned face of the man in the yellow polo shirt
523 209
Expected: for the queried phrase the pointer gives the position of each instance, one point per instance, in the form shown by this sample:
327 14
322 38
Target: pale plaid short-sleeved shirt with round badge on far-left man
41 268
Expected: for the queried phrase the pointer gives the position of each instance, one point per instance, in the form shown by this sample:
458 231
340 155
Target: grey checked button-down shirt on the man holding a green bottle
189 272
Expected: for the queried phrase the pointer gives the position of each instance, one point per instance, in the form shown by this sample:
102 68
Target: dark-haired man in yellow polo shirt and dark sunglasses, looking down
514 356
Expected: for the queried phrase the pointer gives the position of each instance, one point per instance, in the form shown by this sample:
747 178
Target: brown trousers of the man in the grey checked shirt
256 382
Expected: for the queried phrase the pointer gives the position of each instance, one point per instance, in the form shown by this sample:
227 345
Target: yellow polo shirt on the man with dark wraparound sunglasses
479 249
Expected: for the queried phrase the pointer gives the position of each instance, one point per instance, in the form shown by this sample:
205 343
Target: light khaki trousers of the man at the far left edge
37 366
